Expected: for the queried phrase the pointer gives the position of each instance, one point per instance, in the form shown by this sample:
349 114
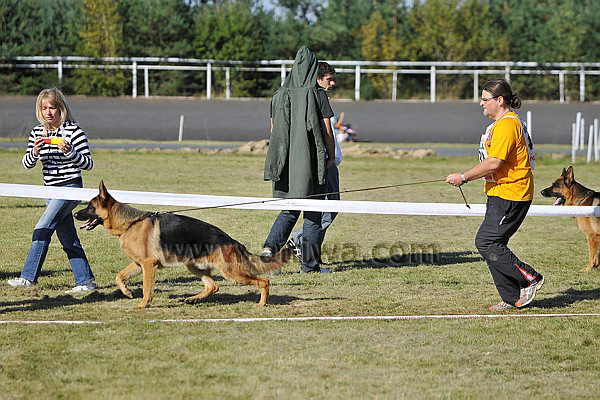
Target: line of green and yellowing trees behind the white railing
418 30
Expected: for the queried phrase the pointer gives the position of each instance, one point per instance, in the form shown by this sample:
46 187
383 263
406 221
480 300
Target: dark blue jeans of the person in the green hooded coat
311 233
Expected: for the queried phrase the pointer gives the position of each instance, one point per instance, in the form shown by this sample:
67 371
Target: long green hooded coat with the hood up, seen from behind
296 156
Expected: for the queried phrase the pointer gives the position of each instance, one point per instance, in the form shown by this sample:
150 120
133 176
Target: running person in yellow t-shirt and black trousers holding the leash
506 160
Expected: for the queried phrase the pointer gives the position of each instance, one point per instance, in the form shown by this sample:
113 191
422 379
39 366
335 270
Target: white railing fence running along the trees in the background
358 68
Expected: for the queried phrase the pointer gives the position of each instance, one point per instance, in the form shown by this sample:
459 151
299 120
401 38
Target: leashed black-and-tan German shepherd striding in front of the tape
155 240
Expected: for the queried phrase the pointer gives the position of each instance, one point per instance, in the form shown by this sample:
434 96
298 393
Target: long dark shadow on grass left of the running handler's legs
410 260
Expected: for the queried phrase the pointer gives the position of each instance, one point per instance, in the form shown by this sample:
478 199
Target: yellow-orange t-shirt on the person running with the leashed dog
513 180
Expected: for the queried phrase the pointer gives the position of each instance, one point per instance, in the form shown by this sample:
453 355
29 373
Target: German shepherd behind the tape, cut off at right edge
571 193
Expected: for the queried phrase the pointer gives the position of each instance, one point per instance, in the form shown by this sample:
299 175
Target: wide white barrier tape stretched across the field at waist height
343 206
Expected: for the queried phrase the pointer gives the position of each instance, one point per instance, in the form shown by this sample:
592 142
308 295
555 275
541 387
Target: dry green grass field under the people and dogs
131 357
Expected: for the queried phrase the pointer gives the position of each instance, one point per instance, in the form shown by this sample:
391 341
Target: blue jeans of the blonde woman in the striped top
57 217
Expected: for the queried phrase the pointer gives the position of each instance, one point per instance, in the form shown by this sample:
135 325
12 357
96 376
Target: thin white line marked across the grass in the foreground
308 319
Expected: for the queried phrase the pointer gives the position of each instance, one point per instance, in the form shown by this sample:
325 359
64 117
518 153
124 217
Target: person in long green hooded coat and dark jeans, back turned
301 148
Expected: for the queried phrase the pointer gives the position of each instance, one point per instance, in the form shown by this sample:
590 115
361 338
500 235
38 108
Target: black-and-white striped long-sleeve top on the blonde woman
58 167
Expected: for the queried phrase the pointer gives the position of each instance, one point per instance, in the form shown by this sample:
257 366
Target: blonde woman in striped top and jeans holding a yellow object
62 147
